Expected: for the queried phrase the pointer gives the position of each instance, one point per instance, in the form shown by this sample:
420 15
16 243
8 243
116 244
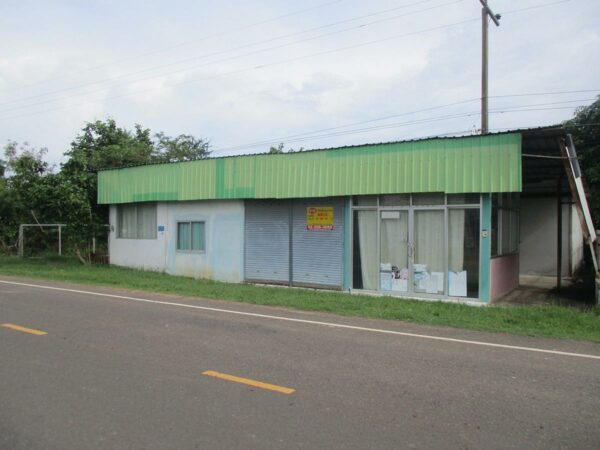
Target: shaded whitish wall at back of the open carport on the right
538 236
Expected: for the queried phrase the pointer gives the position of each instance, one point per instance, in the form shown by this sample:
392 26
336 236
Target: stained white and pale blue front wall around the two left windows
224 256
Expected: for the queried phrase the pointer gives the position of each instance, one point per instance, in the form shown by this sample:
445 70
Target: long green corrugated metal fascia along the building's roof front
489 163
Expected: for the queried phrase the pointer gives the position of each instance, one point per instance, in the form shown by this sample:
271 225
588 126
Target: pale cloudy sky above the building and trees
246 75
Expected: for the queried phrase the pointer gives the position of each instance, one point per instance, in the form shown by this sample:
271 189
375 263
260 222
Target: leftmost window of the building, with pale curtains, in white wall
136 221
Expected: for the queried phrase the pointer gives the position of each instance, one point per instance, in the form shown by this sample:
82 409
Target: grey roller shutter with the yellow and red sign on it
317 256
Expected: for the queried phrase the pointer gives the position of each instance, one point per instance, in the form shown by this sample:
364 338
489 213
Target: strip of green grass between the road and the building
550 321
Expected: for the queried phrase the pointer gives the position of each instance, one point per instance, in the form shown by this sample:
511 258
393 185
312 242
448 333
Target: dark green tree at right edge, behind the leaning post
585 128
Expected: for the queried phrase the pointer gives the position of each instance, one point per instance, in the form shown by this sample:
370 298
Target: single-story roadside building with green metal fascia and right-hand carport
450 218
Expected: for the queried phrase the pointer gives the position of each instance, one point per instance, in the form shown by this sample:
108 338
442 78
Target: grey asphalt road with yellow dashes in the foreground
121 373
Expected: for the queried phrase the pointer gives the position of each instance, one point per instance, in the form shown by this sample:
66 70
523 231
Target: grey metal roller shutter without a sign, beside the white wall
267 241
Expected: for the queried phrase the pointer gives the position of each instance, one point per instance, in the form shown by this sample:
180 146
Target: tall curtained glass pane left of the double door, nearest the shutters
365 250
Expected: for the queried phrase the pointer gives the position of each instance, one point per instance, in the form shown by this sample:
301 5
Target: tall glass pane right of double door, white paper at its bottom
463 253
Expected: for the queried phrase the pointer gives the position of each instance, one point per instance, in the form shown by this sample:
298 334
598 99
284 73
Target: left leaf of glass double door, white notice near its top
394 261
